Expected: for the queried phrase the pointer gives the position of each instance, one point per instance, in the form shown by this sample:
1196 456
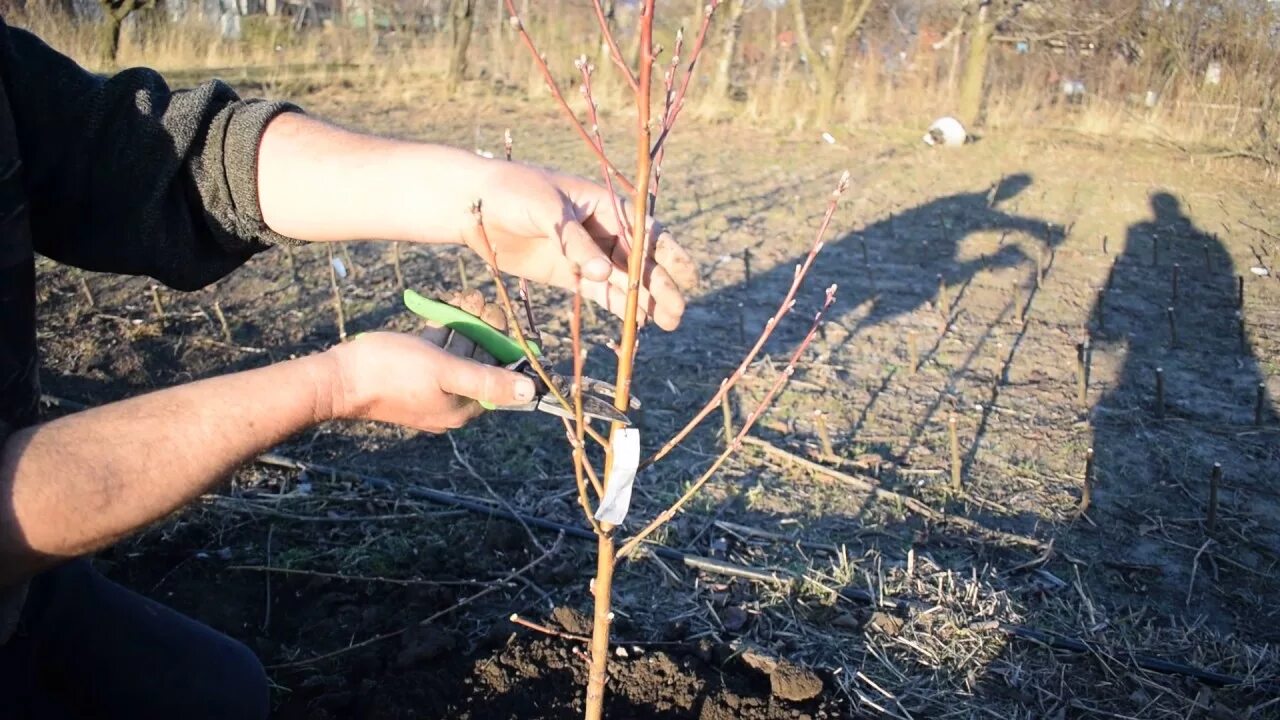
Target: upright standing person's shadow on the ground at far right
1153 462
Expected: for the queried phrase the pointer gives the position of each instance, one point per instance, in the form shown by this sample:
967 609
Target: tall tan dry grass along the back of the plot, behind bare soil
772 85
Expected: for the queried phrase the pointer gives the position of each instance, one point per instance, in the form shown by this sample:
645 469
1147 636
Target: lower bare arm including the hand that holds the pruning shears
79 484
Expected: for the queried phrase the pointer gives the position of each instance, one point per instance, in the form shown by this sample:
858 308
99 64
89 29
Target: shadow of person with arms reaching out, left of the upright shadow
892 268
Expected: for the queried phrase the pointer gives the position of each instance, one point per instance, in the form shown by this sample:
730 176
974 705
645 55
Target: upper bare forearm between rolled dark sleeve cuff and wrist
319 183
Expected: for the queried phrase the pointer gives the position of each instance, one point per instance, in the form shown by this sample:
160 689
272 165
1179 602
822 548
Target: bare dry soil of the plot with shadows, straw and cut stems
904 589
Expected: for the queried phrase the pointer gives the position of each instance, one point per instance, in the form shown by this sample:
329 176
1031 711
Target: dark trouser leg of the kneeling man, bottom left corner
89 649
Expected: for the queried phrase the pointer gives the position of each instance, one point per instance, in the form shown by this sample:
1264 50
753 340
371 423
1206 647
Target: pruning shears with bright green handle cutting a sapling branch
597 395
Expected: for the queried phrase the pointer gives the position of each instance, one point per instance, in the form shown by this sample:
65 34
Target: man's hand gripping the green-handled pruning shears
433 382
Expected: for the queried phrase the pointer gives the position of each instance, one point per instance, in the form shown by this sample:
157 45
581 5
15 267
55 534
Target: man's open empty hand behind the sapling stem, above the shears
542 225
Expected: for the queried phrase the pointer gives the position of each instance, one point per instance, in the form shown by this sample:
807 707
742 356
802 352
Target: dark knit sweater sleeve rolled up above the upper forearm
125 175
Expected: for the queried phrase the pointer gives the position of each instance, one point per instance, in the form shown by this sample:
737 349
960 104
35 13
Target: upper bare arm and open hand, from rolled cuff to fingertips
319 183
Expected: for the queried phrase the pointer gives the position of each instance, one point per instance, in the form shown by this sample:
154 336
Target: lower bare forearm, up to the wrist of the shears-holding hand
76 485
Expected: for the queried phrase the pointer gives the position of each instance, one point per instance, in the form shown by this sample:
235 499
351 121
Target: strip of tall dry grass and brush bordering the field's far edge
890 80
